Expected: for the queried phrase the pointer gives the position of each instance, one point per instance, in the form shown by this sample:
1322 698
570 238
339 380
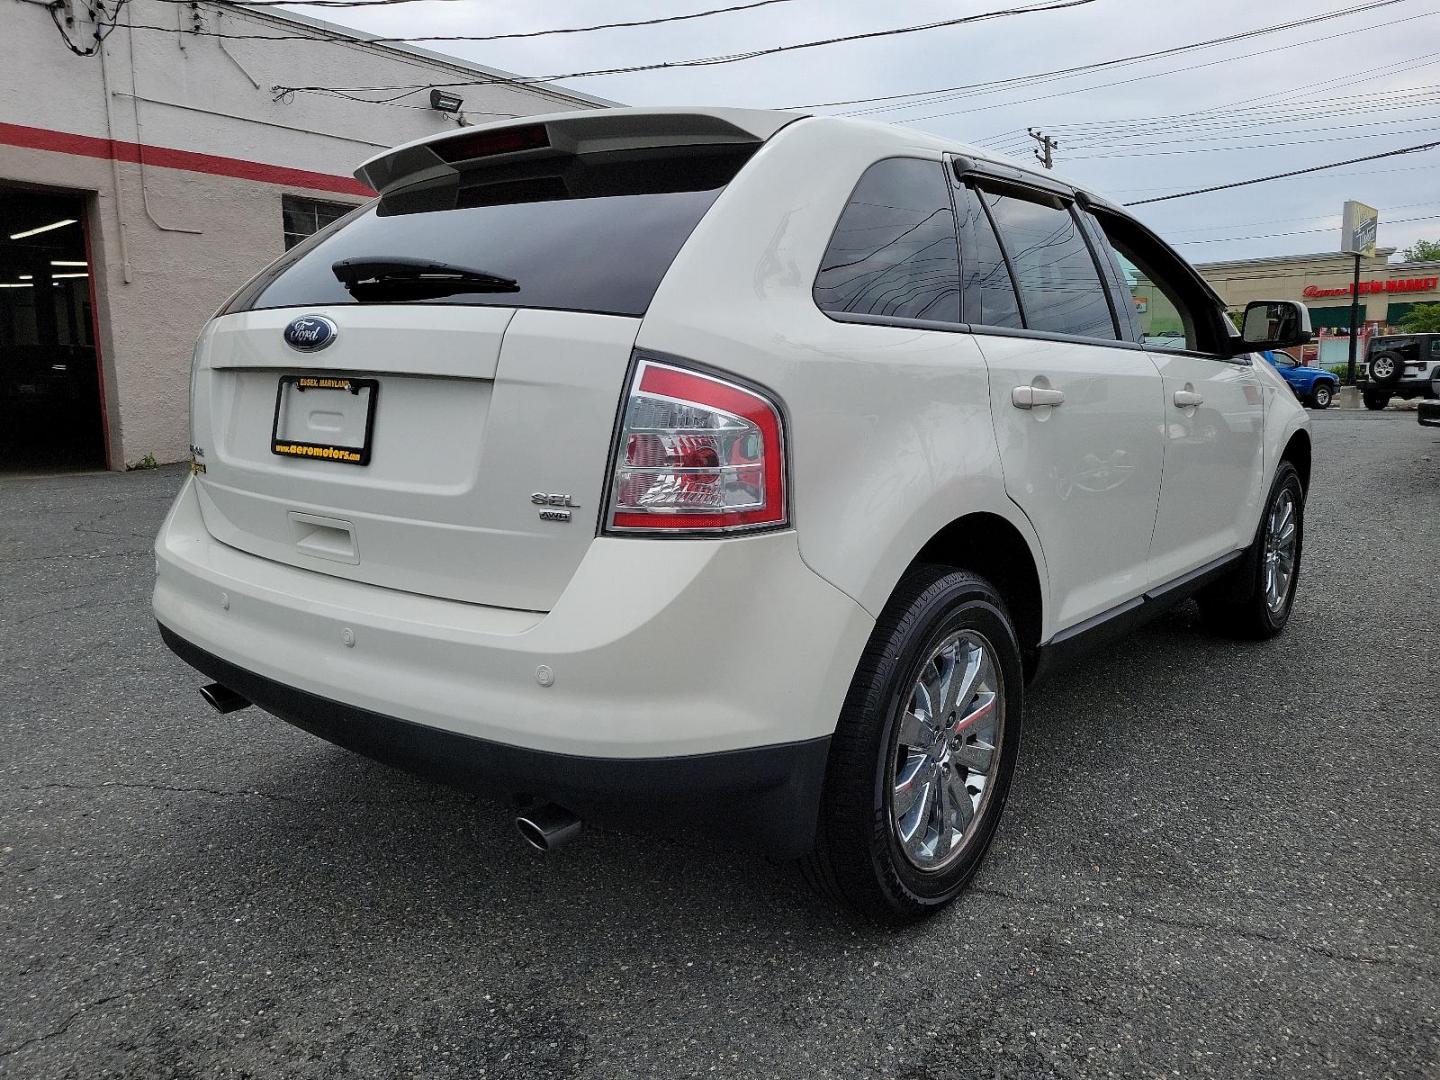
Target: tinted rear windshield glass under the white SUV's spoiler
578 234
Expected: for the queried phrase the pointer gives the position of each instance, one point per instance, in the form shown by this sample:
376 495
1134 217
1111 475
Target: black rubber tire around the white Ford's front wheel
1238 607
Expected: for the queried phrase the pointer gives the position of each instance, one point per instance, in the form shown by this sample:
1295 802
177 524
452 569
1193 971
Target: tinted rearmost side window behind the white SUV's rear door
894 251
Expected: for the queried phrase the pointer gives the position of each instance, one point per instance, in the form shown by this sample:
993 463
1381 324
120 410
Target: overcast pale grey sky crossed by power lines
1379 54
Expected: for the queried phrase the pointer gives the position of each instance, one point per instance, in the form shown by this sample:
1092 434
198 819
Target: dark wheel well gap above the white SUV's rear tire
993 548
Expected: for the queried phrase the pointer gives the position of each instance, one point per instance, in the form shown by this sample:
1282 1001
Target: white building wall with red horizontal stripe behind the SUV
172 238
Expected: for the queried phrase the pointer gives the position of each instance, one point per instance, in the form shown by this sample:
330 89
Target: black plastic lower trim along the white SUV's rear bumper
765 797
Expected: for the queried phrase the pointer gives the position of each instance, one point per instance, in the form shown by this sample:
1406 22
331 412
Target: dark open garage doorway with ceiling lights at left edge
51 414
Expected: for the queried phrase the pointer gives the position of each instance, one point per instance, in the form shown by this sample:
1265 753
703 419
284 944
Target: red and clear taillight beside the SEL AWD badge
696 454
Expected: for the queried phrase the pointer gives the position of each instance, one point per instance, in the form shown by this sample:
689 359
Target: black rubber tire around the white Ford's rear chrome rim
859 859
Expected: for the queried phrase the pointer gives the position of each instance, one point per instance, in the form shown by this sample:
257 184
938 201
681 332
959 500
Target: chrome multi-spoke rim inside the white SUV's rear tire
948 751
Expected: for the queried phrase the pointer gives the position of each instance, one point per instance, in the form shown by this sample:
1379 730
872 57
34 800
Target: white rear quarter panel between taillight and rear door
891 434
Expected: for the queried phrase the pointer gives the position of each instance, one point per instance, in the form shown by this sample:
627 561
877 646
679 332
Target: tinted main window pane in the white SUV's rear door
1059 283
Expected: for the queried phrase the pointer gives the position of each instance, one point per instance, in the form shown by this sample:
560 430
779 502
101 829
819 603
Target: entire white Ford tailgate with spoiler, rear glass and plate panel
476 365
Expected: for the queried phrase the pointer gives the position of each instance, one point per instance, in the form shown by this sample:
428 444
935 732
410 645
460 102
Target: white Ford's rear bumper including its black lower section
659 653
